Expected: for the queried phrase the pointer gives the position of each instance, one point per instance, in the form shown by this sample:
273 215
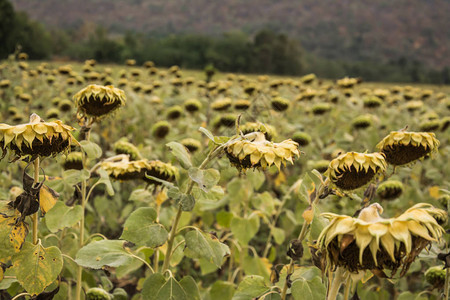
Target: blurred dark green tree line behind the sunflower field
267 51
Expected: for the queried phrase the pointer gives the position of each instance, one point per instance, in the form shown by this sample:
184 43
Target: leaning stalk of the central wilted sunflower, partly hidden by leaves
173 231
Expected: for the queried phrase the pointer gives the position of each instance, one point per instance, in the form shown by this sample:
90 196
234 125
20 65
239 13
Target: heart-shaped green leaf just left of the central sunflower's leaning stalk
141 229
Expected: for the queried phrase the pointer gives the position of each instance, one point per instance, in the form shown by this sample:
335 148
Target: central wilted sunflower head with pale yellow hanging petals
254 151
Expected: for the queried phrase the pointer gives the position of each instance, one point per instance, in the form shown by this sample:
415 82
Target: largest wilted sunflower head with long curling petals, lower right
371 242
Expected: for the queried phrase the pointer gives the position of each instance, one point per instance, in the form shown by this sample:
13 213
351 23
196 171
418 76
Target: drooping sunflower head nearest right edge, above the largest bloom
402 147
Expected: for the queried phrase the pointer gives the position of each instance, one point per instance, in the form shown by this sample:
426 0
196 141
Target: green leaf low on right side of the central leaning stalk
206 247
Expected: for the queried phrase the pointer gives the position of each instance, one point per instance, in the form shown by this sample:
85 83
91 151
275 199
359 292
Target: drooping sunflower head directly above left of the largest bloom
353 170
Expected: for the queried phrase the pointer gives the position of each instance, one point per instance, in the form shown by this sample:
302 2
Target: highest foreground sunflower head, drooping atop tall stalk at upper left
97 100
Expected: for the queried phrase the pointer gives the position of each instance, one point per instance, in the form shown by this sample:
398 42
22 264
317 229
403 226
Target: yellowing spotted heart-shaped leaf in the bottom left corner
37 267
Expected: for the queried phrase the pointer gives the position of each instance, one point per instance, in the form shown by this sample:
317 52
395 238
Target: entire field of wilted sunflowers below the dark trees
138 182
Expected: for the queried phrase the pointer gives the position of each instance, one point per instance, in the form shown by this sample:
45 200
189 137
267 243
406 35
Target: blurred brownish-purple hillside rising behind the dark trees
384 31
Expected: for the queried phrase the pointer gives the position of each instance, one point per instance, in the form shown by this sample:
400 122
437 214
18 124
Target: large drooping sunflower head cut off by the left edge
36 138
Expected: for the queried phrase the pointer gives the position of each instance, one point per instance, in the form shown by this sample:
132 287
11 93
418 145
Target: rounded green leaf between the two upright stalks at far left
61 216
